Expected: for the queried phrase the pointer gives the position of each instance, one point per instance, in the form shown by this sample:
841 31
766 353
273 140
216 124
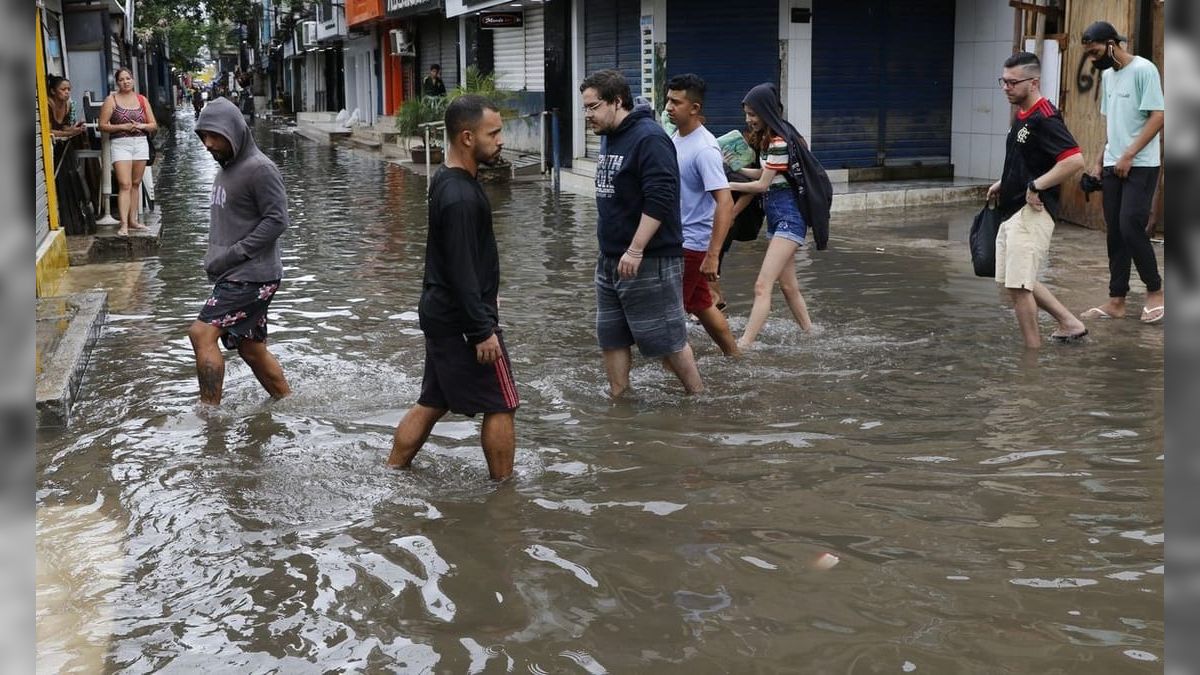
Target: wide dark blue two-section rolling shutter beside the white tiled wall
883 82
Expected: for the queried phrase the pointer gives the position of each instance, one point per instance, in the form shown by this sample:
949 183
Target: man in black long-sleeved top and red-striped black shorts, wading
467 368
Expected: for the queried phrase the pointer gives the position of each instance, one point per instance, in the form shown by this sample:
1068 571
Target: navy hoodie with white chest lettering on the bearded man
638 174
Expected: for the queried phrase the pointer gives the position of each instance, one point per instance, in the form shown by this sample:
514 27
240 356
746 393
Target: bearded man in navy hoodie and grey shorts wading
640 268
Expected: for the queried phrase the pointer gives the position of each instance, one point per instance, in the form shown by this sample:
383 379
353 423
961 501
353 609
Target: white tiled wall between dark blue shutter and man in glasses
983 39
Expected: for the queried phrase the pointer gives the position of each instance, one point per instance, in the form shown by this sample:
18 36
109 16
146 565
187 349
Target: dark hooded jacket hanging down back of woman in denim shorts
808 178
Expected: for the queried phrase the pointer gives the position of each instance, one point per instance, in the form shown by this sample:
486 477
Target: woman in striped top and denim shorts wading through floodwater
787 229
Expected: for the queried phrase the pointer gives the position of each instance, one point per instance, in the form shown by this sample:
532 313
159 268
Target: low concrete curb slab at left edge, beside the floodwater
68 330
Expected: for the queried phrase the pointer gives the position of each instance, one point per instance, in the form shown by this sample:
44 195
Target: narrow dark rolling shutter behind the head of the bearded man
611 41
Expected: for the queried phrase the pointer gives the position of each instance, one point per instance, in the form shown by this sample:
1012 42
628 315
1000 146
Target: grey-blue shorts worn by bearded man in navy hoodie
646 310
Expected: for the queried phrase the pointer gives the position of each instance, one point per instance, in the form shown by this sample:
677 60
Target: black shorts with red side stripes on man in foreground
457 381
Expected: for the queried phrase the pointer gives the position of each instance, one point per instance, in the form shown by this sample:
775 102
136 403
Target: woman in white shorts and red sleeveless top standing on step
128 120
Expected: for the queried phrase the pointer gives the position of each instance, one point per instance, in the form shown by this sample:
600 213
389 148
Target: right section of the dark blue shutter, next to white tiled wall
917 126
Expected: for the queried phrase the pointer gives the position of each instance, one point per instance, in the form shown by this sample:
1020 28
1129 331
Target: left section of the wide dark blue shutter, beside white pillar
848 82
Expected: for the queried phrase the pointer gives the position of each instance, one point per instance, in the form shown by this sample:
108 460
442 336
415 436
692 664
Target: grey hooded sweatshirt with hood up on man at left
249 210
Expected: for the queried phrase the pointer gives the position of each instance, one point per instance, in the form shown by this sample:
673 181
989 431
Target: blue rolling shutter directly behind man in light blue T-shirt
734 46
